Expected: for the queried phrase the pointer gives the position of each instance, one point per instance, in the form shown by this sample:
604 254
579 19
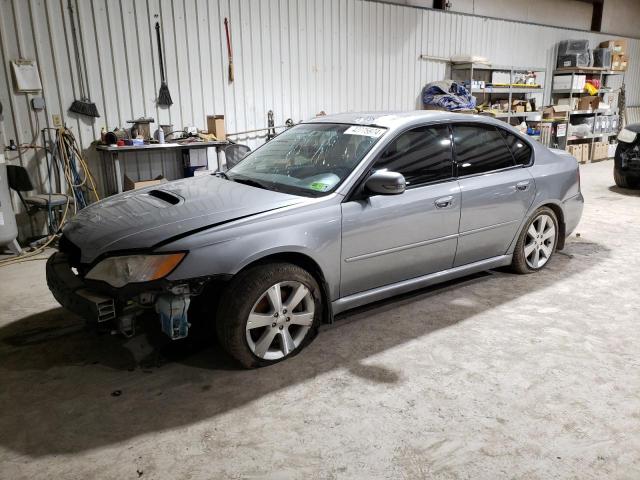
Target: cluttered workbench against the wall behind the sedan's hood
114 170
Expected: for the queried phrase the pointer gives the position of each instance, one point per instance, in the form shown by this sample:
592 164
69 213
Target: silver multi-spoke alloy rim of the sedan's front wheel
280 320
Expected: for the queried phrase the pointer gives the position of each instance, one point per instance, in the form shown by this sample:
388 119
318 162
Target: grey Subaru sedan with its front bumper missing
332 214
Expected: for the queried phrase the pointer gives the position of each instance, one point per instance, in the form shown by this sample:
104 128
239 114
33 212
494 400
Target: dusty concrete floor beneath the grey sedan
494 376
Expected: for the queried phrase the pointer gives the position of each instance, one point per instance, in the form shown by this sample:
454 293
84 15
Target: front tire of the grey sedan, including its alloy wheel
285 331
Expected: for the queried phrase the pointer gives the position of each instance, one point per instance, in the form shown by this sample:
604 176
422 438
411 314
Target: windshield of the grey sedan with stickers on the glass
309 159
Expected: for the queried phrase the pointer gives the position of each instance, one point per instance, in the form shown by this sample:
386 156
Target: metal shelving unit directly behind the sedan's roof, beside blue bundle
478 70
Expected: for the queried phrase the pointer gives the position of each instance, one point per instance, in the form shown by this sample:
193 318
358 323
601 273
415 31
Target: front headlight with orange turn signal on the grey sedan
119 271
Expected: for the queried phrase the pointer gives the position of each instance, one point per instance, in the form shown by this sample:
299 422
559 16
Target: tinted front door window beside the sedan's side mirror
422 155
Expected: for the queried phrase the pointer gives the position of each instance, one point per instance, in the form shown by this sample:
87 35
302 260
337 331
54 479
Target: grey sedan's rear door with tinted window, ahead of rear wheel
496 192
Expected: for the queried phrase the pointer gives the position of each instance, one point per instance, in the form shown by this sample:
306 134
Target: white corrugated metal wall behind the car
296 57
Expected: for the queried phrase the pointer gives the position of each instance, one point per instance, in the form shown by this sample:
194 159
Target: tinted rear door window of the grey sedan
480 148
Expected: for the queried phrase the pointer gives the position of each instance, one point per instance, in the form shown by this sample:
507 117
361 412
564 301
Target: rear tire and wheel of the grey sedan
524 258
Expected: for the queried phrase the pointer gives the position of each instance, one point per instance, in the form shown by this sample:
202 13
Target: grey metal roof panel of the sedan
398 119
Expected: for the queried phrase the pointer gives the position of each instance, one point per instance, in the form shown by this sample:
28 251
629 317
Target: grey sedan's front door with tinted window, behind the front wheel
390 238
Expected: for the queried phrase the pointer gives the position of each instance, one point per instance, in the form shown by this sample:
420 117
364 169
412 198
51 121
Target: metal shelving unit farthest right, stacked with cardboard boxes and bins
601 72
